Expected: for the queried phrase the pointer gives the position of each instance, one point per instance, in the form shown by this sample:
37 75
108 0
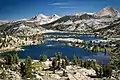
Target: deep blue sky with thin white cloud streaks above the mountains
18 9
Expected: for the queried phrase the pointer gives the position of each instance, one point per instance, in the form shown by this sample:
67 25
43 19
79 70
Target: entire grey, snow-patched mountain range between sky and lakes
82 23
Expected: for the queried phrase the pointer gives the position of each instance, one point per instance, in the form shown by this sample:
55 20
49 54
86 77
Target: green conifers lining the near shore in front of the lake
58 62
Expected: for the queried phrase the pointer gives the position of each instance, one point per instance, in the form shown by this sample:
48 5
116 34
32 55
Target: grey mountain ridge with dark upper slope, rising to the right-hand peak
86 21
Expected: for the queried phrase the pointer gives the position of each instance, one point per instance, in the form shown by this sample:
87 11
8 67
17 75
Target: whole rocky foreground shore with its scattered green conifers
56 68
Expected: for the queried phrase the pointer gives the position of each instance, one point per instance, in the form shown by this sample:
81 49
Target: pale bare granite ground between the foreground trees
73 72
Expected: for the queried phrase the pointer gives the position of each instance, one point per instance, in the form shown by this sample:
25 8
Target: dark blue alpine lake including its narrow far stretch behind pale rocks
49 47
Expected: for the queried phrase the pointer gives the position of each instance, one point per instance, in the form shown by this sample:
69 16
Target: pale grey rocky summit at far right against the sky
107 11
